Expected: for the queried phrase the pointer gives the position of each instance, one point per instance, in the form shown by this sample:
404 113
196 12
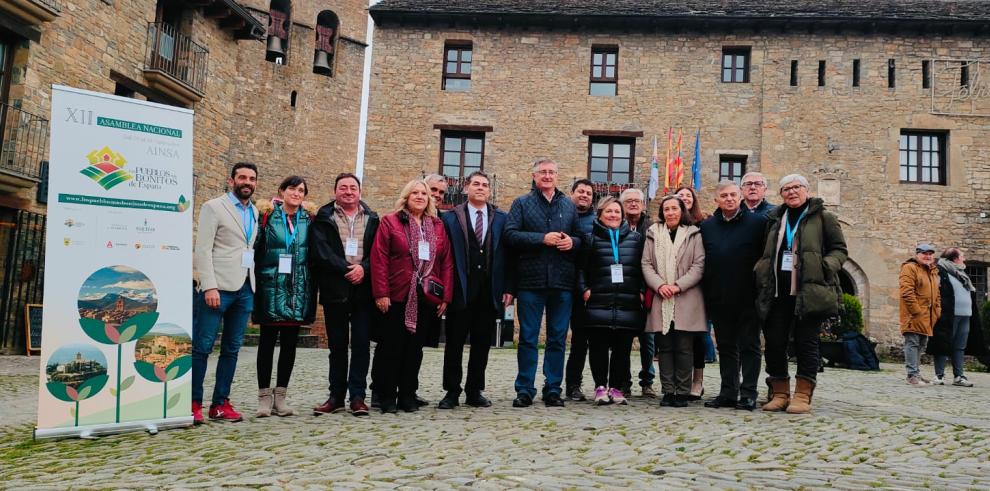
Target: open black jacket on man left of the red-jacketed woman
328 260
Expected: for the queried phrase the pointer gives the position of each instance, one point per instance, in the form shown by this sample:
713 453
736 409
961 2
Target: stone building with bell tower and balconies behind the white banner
255 97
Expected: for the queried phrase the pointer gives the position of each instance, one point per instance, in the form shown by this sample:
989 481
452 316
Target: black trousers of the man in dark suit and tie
478 321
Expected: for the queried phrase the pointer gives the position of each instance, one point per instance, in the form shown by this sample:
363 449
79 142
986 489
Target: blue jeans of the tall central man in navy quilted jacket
531 305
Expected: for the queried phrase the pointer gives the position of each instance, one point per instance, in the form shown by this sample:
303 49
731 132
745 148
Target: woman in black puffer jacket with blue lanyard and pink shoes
611 281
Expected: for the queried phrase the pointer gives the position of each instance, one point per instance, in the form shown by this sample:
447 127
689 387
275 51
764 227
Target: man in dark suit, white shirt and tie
483 289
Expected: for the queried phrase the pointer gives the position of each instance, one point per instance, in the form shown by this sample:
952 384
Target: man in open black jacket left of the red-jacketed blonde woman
343 234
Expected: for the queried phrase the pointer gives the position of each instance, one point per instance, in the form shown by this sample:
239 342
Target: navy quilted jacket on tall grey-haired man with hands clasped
539 266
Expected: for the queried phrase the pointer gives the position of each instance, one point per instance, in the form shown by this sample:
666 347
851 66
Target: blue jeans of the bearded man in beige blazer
235 309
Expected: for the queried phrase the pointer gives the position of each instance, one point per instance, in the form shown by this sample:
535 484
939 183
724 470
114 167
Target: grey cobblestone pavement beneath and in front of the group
868 430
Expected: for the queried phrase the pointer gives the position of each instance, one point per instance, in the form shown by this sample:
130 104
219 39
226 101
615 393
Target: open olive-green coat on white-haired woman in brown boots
820 251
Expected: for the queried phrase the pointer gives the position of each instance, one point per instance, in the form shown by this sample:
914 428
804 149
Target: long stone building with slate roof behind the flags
884 105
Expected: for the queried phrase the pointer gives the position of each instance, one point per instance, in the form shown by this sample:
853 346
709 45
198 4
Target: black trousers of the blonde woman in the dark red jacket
399 353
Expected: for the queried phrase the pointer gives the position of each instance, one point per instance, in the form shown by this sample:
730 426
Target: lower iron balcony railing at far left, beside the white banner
25 141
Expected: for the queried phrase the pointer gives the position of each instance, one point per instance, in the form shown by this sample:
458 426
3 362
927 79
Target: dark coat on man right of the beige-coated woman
731 250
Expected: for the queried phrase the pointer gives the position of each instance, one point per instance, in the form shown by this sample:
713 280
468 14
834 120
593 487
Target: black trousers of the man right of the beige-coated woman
738 334
